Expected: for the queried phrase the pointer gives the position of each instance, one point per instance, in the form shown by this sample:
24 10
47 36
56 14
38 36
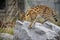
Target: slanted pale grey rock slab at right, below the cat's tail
53 27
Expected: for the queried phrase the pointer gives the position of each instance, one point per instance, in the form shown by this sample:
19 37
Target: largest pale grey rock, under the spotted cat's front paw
38 32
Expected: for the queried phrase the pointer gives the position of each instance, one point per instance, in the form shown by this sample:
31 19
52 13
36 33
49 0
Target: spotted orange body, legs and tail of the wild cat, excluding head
43 11
